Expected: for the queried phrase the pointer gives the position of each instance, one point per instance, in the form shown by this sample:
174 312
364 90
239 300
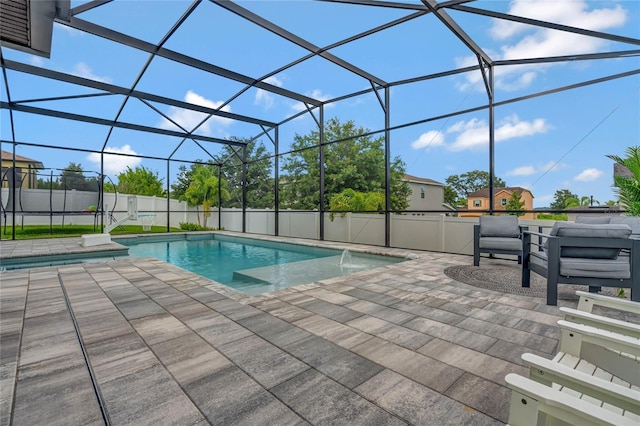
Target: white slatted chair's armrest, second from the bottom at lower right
546 372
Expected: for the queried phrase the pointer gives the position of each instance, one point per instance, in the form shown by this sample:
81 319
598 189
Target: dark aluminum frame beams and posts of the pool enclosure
379 87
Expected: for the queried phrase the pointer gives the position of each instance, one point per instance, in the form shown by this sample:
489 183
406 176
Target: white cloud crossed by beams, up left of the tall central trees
189 119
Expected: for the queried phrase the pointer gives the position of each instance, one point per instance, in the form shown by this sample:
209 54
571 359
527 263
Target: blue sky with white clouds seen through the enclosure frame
542 143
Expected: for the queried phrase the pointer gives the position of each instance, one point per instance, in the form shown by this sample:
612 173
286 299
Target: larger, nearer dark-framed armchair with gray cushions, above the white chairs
585 254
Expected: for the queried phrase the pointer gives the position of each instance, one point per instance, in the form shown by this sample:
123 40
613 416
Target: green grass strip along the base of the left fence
57 231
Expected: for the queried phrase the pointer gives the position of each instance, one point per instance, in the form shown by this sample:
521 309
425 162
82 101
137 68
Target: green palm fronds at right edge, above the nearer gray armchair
628 186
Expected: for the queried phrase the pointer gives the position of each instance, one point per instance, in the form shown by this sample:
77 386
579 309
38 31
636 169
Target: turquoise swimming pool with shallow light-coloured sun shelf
255 266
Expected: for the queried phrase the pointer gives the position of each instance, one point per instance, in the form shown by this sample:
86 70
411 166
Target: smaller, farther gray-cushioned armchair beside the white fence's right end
497 235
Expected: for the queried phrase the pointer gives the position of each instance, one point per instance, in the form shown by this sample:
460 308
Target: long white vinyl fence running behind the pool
432 232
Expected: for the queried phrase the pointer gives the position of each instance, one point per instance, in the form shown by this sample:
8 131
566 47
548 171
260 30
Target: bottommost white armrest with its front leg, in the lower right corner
555 404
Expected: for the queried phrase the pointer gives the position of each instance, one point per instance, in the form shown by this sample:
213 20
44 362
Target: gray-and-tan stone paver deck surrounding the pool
139 341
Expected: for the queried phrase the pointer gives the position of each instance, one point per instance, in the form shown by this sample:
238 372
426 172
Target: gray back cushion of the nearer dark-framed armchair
586 230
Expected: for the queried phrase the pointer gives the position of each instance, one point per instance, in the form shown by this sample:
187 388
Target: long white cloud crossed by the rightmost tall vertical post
474 134
